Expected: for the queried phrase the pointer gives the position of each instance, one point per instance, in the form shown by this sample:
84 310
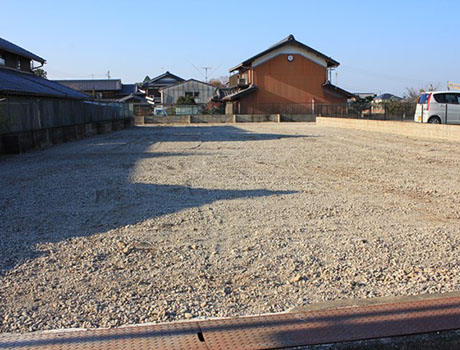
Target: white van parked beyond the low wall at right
438 107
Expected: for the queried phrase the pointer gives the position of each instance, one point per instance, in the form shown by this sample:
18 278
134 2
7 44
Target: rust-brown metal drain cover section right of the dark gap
329 326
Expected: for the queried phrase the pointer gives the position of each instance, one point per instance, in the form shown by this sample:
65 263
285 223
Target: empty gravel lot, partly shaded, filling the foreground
158 224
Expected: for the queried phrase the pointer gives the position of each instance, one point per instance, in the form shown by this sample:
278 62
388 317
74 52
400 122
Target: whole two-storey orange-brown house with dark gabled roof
288 77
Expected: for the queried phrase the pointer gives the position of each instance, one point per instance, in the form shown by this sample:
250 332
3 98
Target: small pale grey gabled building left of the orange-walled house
201 92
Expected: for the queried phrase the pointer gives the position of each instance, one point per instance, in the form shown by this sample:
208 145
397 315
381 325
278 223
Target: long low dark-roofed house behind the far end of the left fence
101 89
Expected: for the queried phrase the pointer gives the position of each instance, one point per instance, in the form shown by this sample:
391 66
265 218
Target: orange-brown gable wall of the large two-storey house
281 81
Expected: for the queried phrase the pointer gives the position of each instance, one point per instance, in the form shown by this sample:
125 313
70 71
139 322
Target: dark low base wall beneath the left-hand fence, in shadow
20 142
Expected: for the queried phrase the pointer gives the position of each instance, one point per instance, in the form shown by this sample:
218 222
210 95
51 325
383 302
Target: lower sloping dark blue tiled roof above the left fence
18 83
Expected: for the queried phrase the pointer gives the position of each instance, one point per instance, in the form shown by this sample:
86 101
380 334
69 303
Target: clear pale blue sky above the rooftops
383 46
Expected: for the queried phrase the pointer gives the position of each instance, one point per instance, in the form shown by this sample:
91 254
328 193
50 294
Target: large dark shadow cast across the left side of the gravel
84 188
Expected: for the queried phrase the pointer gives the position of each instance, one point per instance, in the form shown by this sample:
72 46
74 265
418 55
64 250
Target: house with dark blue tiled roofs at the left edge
17 77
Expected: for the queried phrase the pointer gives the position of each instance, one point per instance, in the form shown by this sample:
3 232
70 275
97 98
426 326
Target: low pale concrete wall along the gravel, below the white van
431 131
